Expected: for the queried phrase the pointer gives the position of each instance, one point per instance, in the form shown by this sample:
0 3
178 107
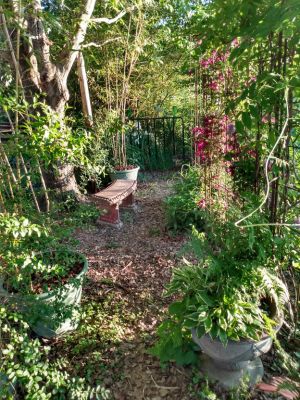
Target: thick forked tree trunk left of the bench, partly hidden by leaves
39 74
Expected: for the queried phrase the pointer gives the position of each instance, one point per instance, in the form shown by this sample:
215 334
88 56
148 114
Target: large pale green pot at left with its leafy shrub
40 276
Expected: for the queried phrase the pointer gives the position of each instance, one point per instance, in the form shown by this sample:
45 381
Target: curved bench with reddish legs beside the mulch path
119 193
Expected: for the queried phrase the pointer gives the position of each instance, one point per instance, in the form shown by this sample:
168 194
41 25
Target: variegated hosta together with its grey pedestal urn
233 319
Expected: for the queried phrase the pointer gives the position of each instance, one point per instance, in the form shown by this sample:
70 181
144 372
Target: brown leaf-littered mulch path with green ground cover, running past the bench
123 303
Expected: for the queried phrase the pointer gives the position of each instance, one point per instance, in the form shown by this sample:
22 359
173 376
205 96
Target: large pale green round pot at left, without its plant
52 313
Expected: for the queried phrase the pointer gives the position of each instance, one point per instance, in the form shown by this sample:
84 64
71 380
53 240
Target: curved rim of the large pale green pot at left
50 293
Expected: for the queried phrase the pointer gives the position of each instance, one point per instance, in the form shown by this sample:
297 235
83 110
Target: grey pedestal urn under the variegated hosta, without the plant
238 360
